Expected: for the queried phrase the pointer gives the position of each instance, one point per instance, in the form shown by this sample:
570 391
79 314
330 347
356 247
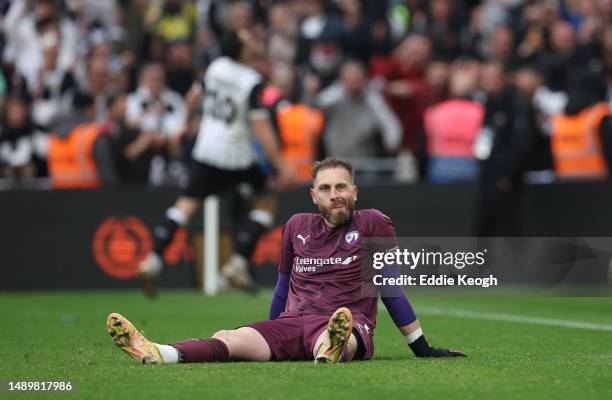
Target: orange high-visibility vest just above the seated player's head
300 128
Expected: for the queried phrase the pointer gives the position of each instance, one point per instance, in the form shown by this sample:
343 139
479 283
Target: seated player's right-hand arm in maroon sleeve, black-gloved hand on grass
395 300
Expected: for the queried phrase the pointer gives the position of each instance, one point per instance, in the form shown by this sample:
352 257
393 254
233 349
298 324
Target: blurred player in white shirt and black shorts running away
224 156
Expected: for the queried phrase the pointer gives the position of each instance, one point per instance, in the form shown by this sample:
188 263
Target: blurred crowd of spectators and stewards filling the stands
100 93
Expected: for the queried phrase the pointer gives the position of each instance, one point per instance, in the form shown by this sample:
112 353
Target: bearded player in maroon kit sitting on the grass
319 310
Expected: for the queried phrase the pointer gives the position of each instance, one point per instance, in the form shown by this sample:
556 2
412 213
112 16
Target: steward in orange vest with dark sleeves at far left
80 154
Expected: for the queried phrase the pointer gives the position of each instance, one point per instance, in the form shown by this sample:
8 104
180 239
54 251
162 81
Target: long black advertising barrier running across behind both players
93 239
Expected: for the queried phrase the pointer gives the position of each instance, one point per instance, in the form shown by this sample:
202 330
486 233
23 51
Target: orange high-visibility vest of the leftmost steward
71 161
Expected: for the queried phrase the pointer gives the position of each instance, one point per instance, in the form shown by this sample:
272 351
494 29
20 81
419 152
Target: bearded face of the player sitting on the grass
335 195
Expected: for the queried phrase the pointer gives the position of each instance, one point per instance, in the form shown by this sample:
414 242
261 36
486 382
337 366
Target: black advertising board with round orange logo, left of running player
79 239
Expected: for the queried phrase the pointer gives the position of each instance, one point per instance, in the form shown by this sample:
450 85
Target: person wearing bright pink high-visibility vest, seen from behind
450 130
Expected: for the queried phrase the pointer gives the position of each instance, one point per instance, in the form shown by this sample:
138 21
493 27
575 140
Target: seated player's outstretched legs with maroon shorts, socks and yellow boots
300 338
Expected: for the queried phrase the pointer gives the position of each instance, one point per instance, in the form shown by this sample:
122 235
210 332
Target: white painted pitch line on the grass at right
513 318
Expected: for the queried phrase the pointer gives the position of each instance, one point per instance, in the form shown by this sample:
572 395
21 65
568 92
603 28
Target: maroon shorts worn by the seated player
292 337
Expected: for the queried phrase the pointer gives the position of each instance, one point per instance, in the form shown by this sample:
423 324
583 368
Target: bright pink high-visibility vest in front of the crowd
452 127
